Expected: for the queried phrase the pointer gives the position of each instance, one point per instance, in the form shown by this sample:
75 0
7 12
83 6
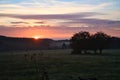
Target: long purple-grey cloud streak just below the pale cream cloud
52 16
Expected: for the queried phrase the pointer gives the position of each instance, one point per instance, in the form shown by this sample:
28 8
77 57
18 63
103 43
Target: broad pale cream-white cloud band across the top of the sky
51 6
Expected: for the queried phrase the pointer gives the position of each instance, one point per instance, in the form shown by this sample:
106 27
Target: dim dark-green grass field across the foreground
59 64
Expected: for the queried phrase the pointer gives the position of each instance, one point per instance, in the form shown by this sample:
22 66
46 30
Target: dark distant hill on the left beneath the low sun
11 43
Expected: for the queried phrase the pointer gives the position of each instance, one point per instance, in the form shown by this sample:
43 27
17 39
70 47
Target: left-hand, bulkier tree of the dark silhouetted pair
80 42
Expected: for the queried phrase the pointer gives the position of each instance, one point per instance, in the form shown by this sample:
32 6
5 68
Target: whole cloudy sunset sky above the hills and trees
58 19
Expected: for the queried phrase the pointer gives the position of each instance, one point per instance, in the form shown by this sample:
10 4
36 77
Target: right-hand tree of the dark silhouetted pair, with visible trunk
100 41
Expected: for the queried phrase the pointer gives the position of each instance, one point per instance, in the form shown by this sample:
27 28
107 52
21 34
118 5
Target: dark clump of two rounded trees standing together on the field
83 41
